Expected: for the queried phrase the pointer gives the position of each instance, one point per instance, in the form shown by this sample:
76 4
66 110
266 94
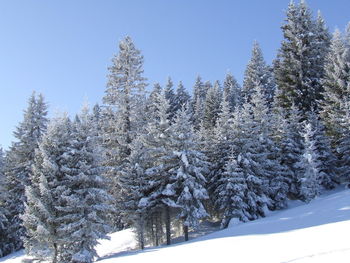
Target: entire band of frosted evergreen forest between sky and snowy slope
162 161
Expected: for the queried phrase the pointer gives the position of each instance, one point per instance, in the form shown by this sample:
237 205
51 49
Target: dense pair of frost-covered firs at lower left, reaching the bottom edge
67 202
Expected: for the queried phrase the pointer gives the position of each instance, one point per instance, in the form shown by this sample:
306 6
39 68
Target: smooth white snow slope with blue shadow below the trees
317 232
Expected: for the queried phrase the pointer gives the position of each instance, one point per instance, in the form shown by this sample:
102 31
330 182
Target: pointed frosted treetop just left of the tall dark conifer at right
257 72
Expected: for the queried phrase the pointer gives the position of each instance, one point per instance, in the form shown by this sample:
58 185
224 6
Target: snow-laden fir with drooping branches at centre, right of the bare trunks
189 170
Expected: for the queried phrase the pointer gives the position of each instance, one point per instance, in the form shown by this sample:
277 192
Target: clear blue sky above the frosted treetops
62 48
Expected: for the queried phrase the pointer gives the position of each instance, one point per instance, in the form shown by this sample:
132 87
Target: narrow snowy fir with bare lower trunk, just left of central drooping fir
159 199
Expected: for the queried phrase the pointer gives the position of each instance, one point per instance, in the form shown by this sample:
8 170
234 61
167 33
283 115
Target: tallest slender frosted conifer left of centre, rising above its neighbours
123 116
